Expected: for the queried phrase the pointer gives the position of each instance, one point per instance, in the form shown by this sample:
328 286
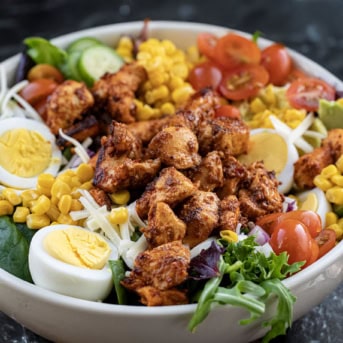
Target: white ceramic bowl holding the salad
65 319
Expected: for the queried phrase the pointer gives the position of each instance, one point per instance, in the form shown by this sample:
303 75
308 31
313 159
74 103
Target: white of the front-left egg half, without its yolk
50 273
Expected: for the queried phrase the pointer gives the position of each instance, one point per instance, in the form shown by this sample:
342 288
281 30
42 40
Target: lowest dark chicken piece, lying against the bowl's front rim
151 296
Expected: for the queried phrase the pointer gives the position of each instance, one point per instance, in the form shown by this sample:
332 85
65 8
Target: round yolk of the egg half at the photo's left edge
24 153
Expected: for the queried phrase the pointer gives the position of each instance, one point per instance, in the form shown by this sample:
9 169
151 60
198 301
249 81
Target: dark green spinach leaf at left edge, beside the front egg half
14 250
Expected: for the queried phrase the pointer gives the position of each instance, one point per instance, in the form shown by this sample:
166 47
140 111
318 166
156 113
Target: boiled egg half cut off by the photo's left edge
27 149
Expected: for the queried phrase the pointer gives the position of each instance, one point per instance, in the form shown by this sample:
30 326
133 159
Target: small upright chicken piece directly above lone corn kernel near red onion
229 213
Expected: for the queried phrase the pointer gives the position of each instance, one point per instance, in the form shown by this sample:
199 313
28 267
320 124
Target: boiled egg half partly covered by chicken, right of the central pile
277 153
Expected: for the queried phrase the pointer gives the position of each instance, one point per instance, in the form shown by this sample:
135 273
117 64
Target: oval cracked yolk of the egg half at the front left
78 247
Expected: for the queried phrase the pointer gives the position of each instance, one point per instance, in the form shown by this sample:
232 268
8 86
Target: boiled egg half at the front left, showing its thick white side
73 261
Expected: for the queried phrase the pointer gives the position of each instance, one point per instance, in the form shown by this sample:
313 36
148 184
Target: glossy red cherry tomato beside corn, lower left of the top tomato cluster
205 75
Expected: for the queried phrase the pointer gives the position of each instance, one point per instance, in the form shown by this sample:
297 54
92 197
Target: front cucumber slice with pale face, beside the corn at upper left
97 60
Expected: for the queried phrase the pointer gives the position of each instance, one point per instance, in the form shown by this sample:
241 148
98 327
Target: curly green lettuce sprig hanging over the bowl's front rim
251 278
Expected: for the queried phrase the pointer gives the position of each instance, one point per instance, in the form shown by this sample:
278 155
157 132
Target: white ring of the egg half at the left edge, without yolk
15 181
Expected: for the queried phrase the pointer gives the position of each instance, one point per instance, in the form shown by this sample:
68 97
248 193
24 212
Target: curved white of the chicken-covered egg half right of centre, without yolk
286 175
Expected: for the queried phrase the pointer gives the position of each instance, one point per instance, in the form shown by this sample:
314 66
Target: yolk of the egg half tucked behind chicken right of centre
268 147
